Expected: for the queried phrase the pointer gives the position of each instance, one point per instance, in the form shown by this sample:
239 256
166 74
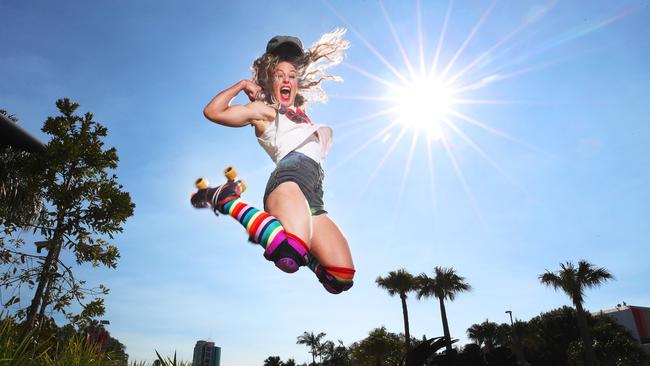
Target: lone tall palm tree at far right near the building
573 281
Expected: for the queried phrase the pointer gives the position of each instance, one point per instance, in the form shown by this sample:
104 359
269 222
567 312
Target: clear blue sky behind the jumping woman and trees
571 182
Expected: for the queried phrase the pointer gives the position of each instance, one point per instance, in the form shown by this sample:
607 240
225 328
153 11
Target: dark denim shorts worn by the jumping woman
306 173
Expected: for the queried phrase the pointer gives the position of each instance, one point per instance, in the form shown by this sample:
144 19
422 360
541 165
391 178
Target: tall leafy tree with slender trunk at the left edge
83 207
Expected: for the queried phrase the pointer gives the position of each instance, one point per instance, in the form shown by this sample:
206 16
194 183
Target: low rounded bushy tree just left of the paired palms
379 348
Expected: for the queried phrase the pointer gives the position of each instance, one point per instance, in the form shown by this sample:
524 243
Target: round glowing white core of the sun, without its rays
423 104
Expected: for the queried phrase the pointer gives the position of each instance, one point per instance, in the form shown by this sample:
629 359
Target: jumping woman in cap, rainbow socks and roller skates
294 228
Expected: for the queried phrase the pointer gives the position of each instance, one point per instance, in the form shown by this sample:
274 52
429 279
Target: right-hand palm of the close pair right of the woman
445 285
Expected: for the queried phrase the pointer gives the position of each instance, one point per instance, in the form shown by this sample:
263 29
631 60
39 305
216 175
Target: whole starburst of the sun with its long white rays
429 98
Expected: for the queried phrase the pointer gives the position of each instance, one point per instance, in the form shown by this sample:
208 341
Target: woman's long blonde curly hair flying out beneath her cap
310 68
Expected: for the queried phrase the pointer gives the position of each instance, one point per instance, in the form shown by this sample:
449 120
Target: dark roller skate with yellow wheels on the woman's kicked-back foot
216 197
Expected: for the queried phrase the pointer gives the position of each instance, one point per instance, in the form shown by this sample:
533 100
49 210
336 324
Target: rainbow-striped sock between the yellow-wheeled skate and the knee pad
262 227
